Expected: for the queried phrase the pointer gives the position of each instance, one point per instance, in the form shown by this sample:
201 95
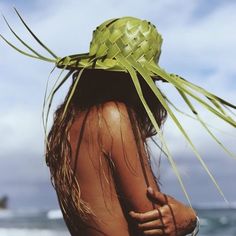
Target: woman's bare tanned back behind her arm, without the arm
95 180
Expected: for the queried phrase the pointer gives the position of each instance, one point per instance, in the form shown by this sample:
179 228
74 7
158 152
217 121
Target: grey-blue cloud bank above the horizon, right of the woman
198 184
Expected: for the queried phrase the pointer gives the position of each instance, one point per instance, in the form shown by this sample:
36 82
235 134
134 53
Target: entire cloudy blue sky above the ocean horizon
199 44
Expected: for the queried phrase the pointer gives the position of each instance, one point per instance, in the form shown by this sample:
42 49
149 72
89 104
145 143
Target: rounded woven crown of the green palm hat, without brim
128 36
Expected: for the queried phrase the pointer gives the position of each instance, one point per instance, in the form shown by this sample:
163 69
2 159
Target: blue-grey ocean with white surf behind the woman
214 222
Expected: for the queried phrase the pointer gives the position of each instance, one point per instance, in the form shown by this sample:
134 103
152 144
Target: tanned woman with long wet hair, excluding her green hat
102 141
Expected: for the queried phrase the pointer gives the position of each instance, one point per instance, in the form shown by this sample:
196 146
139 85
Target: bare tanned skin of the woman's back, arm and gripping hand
113 193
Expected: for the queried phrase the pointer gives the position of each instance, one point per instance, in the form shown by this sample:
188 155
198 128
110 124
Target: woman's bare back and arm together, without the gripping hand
100 176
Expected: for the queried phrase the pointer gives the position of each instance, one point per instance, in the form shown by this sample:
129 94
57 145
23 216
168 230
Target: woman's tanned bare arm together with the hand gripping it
121 144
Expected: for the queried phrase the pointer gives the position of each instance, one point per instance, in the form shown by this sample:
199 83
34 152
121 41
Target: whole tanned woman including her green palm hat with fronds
96 149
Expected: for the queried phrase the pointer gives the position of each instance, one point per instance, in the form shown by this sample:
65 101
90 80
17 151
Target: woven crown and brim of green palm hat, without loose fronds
127 37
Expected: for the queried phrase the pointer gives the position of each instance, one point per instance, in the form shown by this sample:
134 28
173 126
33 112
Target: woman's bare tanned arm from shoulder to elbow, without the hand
123 149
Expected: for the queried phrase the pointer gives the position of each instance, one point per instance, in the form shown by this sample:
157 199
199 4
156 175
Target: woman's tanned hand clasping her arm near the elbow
172 218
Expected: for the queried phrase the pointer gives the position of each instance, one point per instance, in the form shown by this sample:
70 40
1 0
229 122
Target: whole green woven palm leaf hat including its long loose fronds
133 46
